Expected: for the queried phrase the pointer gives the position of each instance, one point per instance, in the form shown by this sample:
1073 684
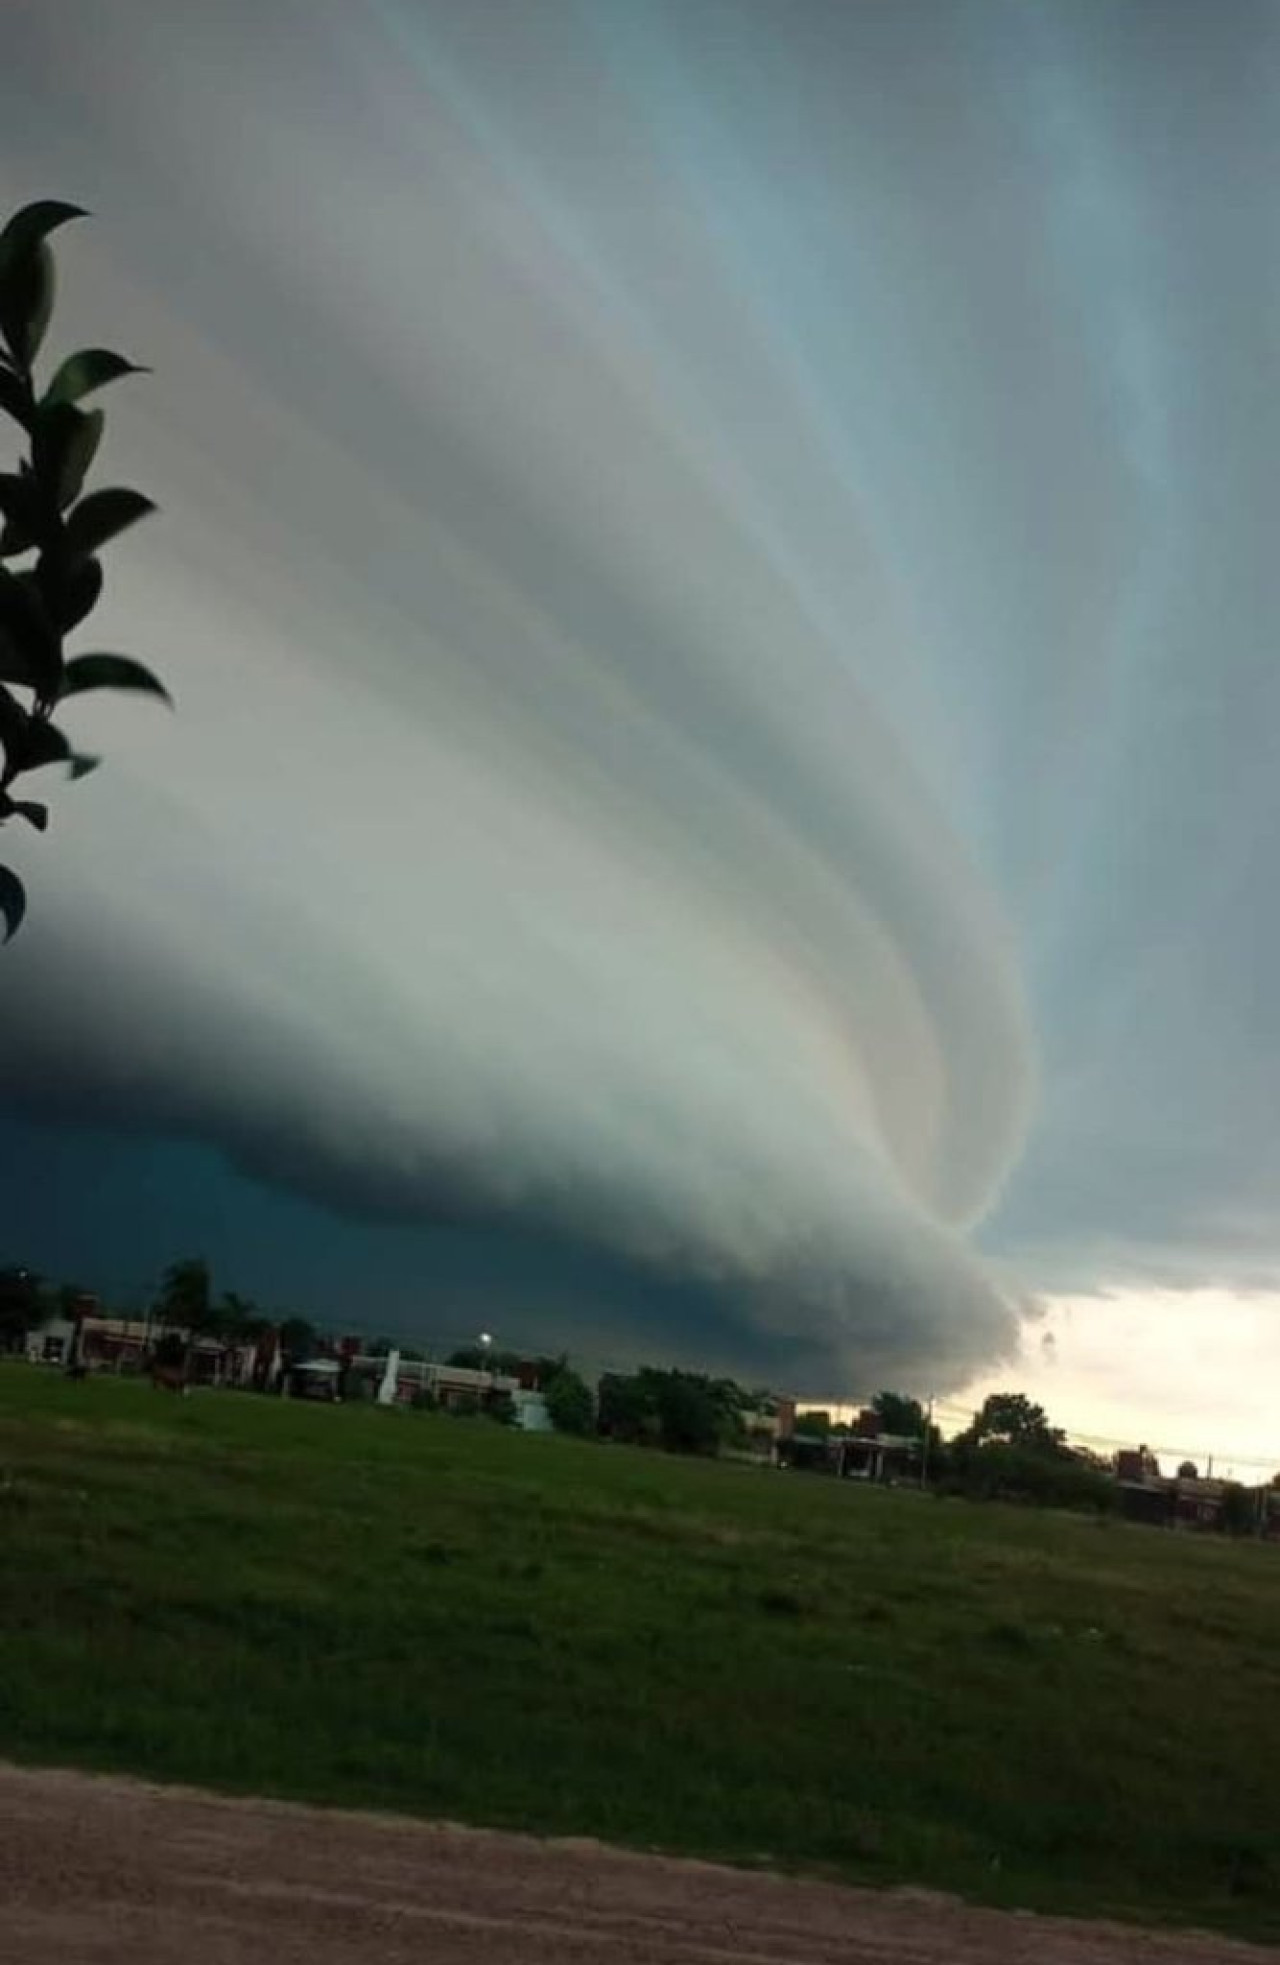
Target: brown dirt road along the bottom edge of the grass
117 1874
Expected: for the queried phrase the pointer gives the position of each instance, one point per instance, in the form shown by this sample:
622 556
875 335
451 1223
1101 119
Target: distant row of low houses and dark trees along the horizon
1010 1451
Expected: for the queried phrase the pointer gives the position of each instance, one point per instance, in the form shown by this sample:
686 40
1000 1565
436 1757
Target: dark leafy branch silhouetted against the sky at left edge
52 530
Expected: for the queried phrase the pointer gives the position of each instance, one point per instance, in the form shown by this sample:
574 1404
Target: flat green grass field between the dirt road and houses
436 1616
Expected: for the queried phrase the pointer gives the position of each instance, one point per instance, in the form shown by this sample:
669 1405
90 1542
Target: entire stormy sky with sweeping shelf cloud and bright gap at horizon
719 575
